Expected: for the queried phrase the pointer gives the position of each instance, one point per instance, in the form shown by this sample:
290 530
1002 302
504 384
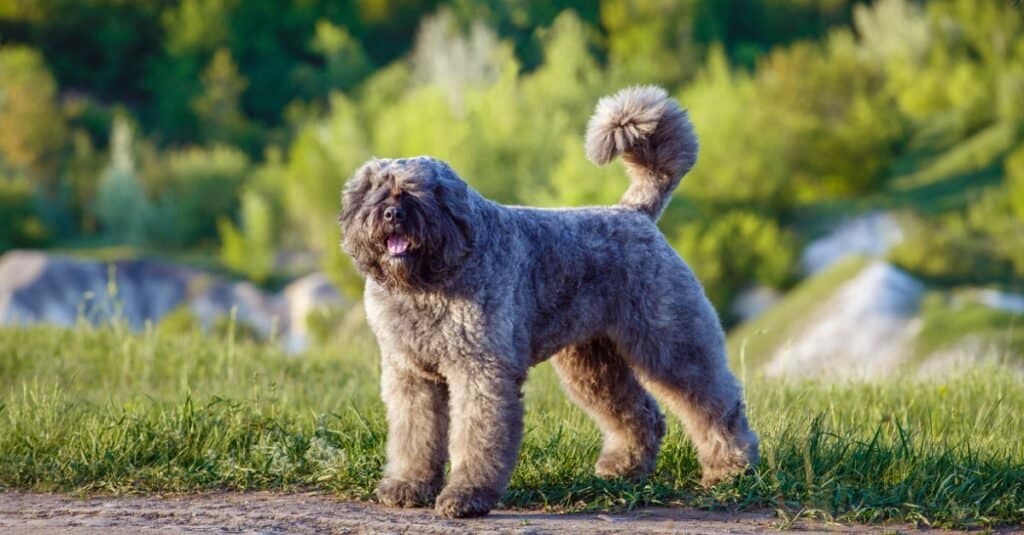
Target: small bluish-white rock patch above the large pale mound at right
869 235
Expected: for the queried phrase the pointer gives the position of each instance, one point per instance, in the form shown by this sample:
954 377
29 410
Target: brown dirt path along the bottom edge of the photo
267 513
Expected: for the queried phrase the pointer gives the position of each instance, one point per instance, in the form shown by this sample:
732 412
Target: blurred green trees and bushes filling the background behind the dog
228 129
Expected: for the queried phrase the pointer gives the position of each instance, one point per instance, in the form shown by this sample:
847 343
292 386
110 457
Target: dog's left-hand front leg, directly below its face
417 416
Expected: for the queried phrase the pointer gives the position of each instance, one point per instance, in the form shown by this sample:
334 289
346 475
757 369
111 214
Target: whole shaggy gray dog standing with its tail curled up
465 296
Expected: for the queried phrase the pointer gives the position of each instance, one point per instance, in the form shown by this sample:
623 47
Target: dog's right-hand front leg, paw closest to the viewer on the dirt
487 430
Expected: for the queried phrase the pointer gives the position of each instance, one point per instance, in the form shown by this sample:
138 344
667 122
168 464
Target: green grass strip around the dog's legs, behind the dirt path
101 410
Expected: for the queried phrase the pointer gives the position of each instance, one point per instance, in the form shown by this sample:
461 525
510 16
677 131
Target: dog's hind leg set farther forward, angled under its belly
600 381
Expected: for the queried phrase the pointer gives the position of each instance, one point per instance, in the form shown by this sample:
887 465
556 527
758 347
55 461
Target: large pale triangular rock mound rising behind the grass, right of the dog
865 331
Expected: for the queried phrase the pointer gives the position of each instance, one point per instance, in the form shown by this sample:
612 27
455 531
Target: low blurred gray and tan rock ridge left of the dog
36 287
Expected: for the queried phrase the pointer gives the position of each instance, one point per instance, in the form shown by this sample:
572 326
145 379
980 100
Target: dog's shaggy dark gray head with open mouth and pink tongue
407 223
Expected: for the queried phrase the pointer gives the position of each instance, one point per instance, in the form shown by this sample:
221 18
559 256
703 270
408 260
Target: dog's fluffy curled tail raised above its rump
656 139
